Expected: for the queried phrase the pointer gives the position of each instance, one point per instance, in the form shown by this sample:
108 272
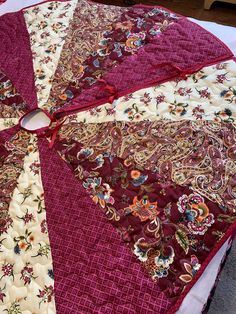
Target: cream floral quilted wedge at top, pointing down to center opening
47 24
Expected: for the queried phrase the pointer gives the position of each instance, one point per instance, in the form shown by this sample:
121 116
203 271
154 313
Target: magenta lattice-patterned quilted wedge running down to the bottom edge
94 272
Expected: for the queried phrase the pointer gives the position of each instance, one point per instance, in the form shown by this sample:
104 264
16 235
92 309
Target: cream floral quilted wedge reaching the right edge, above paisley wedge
209 93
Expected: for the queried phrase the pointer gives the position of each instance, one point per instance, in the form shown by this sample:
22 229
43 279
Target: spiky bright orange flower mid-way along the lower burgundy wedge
143 209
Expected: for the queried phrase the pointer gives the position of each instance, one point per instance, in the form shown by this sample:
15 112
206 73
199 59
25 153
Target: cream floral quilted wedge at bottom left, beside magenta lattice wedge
26 275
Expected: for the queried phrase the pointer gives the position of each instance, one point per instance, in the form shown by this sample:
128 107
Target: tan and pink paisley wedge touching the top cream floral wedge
76 50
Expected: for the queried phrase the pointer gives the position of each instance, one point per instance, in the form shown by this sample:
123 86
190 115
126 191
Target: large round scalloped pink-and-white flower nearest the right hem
196 213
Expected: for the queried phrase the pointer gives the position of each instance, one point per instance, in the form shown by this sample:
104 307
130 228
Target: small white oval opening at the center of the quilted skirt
35 120
